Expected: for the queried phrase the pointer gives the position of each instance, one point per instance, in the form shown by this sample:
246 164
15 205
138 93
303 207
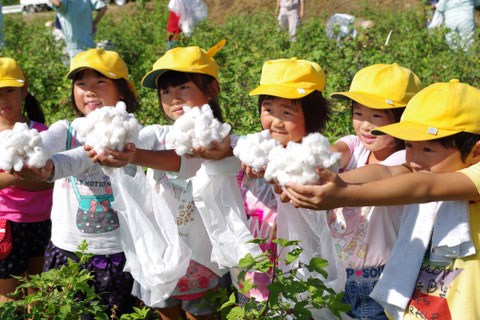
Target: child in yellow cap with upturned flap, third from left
183 76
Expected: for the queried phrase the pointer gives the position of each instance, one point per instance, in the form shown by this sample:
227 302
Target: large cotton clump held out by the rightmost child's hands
297 161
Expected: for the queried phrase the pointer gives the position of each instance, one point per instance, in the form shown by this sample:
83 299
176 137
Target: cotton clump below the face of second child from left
110 127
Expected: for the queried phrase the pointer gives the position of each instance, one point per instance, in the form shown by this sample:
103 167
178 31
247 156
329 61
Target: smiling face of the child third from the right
283 119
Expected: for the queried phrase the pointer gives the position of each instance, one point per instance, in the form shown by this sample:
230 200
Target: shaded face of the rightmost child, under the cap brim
433 156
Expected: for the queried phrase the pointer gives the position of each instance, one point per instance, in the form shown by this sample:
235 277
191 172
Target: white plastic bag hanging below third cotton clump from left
218 199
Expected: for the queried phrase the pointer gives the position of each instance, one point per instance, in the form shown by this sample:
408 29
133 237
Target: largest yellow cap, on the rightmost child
440 110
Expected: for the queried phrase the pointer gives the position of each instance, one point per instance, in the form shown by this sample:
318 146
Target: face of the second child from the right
365 120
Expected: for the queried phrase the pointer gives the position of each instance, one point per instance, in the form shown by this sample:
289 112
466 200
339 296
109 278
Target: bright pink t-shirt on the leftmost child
20 205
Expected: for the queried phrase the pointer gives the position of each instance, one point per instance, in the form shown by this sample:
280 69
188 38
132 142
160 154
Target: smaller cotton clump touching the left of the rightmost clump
254 148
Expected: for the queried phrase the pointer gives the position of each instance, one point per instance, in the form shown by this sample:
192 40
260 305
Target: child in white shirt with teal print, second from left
82 202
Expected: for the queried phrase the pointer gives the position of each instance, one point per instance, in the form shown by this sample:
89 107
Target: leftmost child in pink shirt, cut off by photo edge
24 224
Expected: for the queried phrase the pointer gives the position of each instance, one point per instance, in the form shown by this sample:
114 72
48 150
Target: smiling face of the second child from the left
93 91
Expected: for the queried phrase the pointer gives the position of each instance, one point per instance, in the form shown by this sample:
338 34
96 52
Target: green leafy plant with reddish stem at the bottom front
289 294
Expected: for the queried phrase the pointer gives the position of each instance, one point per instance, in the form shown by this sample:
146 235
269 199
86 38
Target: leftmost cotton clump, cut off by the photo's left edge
20 146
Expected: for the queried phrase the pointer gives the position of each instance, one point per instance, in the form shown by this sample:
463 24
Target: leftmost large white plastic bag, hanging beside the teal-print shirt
156 256
